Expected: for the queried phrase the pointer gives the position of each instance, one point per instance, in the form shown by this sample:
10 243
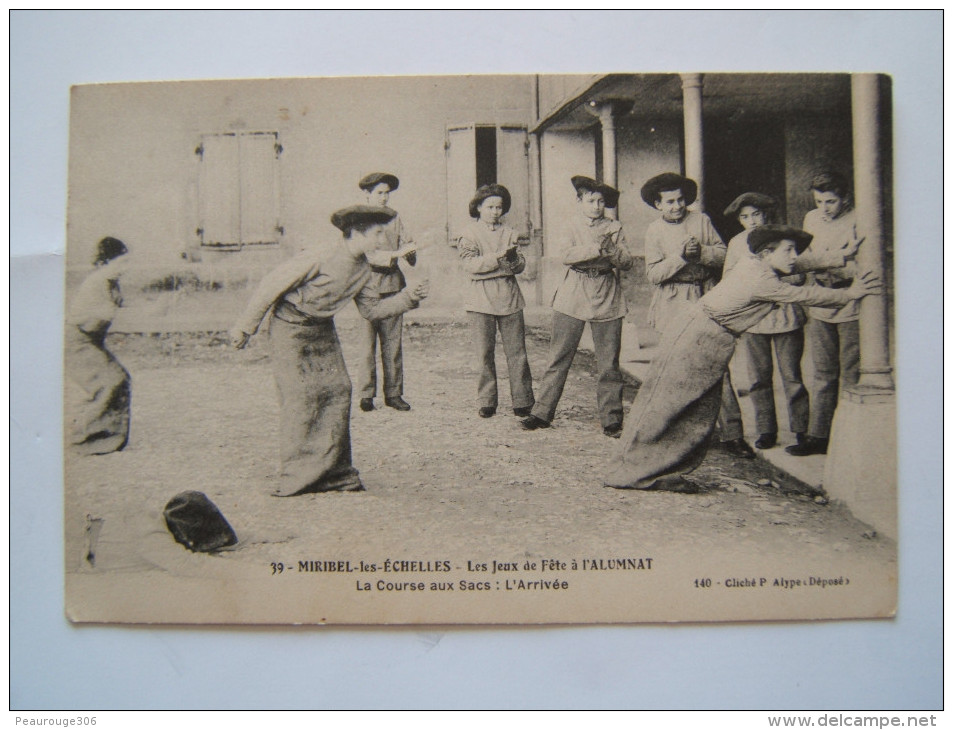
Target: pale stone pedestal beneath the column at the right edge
861 466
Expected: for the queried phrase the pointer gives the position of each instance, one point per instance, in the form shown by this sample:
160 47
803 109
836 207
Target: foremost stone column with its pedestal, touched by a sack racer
861 465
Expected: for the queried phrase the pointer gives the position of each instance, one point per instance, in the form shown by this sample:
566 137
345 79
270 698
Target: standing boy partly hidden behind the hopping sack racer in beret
388 279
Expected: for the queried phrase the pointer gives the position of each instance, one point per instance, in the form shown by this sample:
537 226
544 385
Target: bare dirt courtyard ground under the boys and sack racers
205 417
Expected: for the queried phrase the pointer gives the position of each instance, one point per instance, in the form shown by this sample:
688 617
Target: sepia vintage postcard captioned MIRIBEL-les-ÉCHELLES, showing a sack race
602 348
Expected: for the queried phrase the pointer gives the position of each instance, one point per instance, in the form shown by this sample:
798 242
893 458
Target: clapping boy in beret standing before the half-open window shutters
490 255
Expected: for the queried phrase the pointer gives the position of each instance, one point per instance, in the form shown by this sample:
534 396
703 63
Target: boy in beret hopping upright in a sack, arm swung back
314 389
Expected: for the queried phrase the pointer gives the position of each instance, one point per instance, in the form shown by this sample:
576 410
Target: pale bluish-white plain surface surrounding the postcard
849 665
